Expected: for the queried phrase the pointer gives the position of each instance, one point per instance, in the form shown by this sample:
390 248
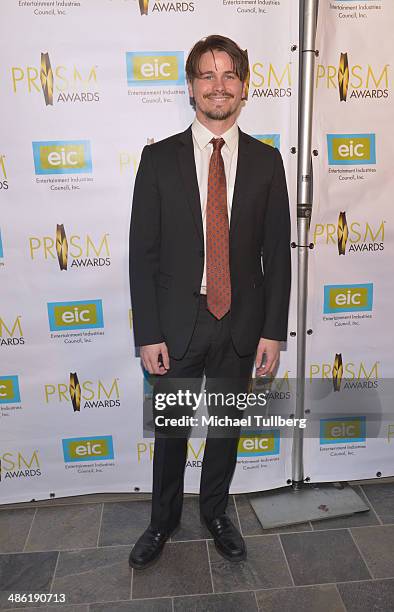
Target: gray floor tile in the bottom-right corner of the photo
376 596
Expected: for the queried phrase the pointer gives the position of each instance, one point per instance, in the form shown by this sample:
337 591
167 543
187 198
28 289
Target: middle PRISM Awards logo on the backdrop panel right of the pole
354 237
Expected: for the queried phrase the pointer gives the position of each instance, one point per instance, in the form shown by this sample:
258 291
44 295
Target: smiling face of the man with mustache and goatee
217 91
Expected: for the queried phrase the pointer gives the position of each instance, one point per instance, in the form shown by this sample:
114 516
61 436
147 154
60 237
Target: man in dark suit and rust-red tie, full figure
210 205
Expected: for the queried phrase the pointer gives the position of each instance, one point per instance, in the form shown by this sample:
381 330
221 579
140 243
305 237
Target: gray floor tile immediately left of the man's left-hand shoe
124 522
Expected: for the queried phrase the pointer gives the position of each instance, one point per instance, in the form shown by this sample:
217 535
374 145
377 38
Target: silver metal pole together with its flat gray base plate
304 502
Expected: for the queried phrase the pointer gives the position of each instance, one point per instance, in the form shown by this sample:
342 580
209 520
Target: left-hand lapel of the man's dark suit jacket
188 172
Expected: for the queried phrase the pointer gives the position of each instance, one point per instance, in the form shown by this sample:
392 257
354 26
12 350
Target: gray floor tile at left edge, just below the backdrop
14 528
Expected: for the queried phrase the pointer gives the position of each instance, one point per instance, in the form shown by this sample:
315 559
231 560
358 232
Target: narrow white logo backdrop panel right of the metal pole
350 367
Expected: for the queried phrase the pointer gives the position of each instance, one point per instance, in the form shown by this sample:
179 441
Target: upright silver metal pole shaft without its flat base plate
308 24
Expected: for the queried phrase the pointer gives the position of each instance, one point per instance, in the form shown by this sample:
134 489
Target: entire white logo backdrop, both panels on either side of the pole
84 86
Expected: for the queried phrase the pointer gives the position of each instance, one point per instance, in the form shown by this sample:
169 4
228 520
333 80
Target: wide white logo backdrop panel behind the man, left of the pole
84 86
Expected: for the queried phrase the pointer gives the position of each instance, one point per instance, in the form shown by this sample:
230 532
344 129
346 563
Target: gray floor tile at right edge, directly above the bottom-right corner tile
377 547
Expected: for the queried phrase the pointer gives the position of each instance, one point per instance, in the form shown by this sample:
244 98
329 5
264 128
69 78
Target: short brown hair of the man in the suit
215 42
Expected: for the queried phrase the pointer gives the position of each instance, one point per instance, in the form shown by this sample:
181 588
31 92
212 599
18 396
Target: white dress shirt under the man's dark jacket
202 154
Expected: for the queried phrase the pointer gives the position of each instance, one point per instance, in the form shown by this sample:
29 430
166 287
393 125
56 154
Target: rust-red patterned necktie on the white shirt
217 238
